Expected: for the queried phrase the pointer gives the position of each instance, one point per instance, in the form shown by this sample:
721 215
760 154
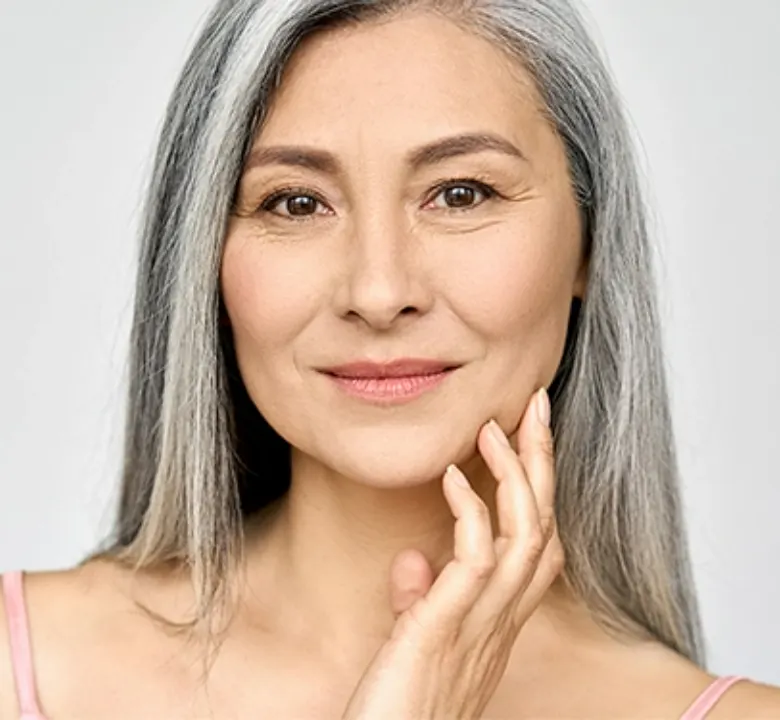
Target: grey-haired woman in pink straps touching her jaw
372 228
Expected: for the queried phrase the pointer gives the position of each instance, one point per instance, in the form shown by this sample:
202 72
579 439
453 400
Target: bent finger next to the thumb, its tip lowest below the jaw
442 609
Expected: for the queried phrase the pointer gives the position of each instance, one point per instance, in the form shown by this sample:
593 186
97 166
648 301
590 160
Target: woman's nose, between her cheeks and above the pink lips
386 272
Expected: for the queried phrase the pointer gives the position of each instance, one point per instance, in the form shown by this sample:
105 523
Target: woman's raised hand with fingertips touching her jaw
452 640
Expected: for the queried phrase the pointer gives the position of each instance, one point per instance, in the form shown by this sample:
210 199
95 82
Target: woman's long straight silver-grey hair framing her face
199 459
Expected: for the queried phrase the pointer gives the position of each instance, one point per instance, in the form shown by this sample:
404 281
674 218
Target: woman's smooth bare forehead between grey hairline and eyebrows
402 80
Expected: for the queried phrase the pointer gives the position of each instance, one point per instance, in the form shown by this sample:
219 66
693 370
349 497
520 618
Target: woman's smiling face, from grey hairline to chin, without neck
404 199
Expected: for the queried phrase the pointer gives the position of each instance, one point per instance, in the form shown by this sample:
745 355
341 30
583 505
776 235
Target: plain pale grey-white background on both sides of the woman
84 85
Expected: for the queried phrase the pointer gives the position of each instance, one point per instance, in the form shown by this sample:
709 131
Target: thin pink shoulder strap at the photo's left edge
19 634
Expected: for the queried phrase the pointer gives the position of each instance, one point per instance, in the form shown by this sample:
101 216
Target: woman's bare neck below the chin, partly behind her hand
321 560
